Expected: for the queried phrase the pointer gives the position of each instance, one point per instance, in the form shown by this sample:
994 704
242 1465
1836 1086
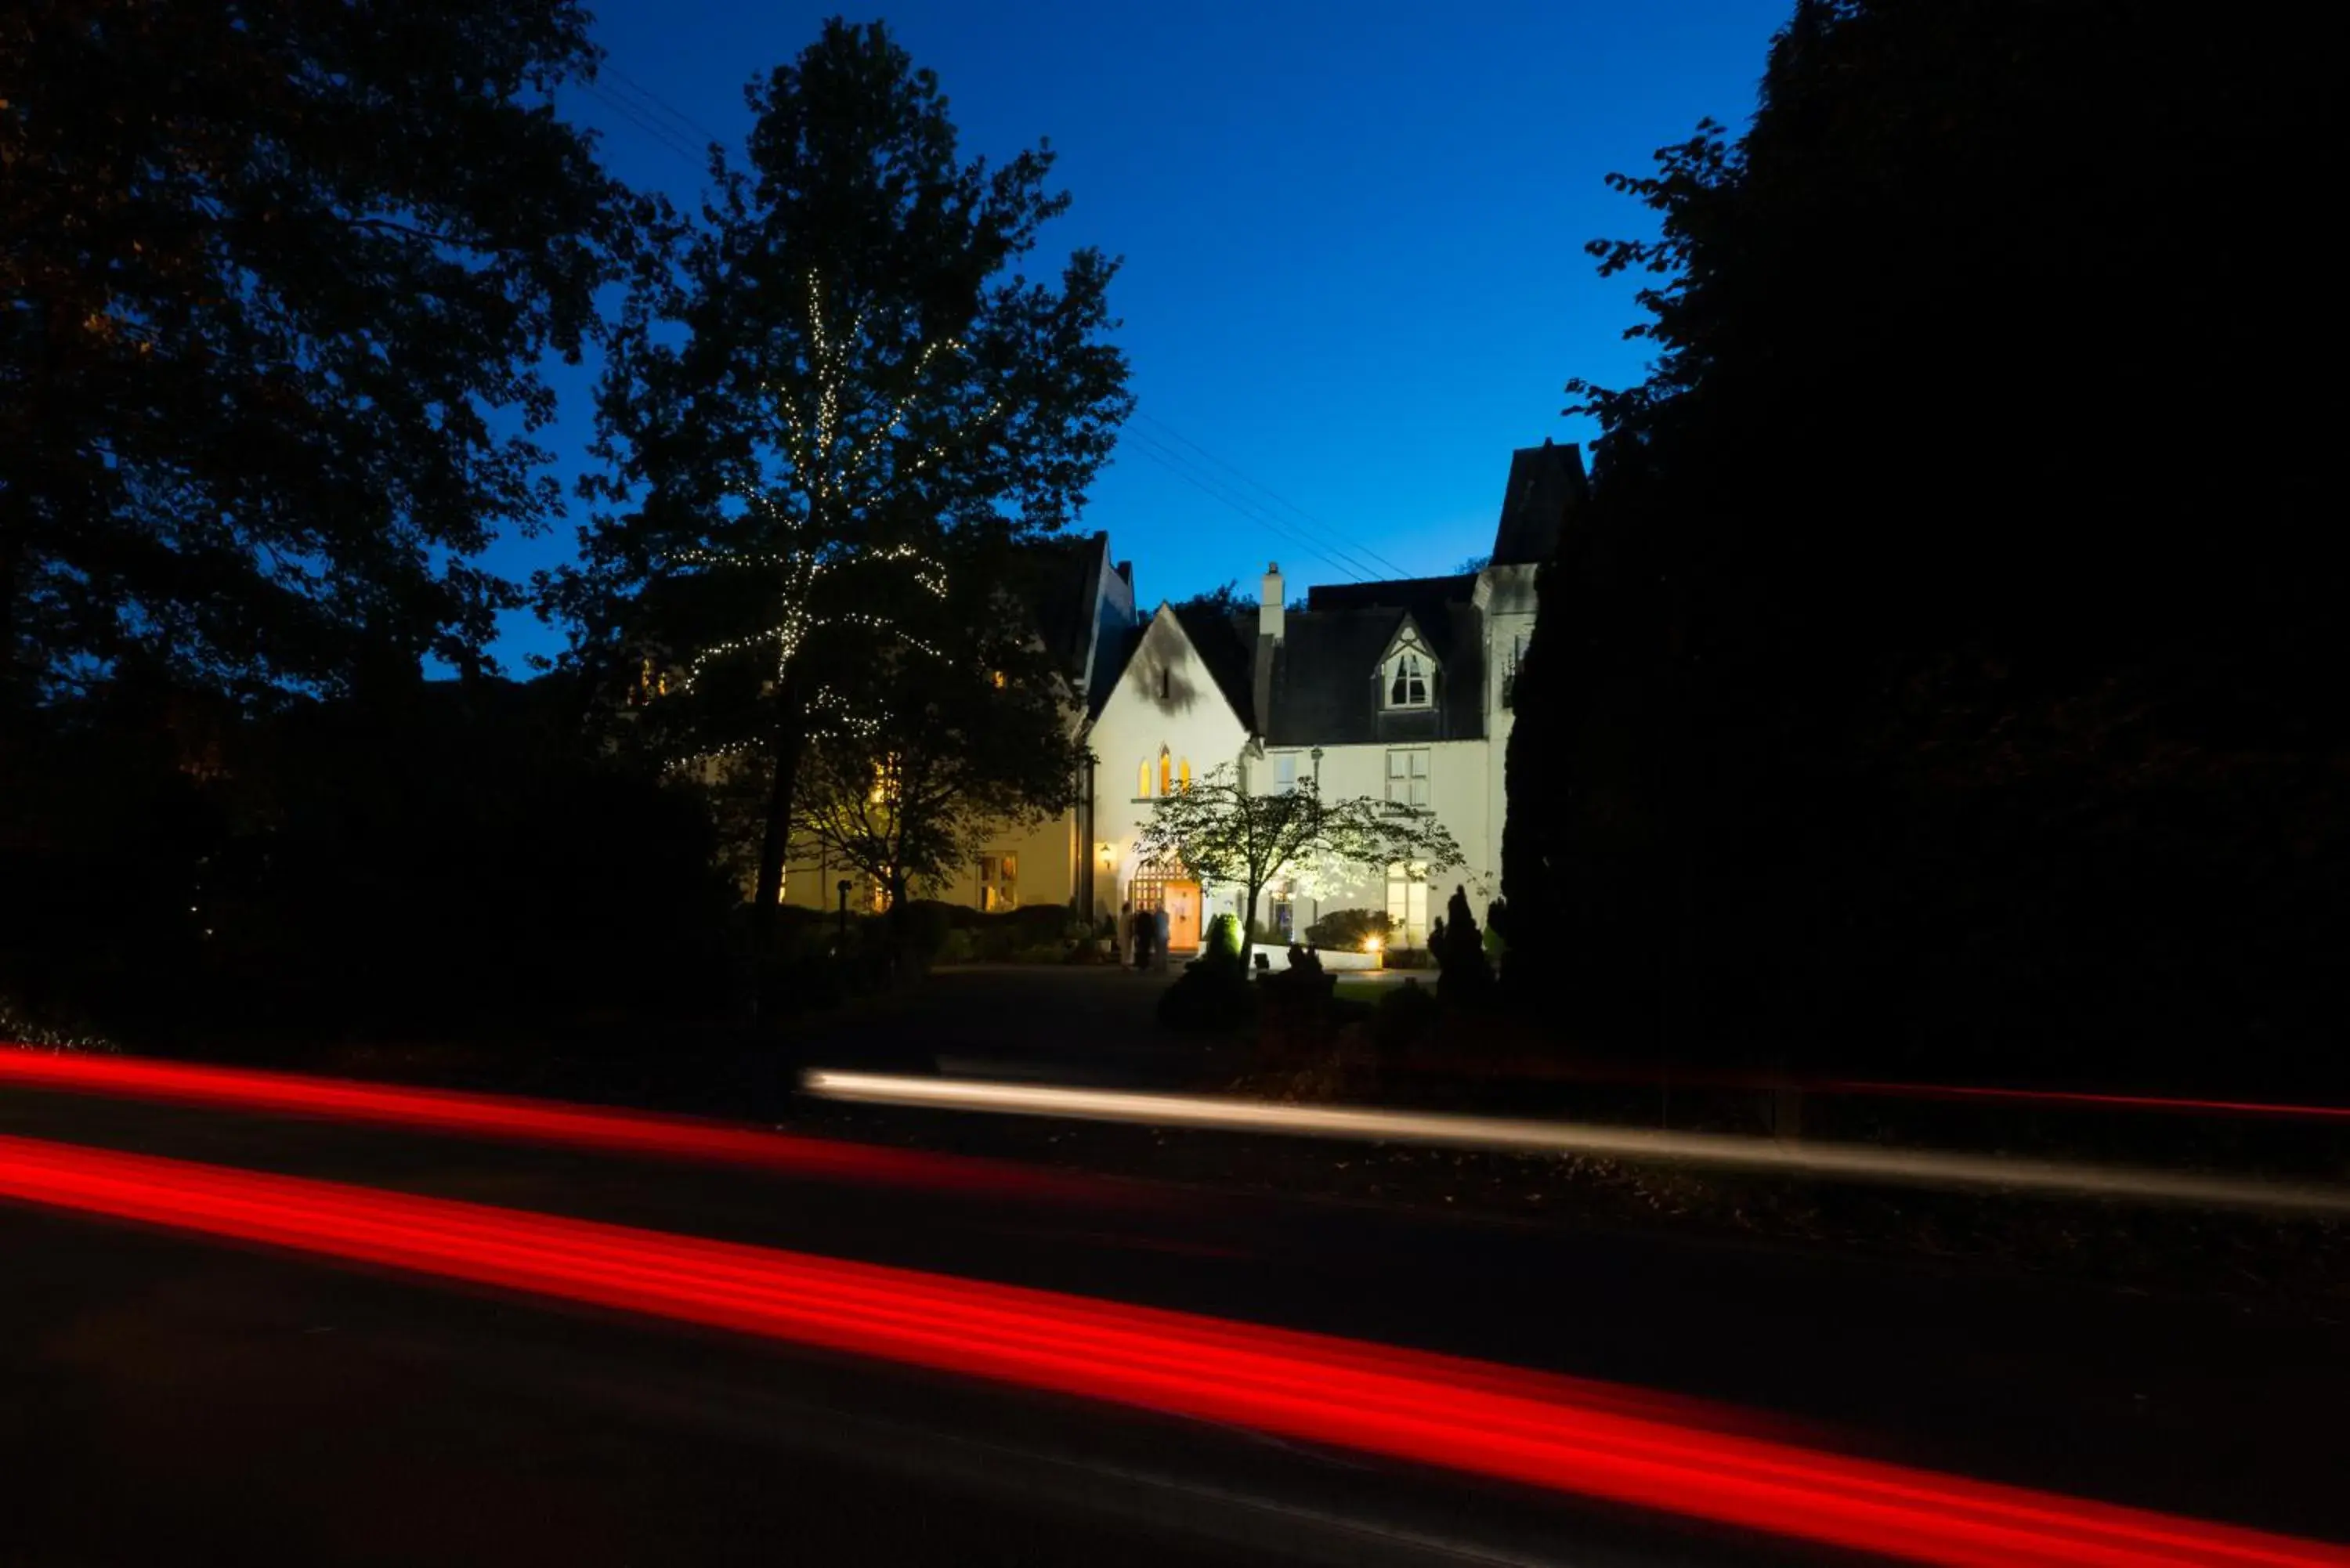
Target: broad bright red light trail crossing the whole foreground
1463 1416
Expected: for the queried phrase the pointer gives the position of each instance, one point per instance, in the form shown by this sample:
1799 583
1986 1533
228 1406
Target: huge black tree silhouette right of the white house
1942 678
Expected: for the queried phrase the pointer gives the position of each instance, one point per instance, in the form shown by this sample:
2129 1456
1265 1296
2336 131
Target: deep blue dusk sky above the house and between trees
1352 236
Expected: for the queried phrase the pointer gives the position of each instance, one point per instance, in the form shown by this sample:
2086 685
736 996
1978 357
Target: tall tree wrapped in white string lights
817 394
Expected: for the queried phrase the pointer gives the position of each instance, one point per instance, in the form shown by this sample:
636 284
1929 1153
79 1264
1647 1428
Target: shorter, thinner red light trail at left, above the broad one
530 1120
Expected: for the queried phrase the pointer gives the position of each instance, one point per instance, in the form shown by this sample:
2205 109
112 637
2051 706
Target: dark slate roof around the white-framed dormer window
1327 671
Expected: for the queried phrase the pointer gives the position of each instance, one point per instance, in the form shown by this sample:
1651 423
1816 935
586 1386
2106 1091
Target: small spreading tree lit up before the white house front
1223 833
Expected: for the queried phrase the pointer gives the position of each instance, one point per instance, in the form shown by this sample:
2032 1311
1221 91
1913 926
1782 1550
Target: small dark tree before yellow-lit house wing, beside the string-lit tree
951 749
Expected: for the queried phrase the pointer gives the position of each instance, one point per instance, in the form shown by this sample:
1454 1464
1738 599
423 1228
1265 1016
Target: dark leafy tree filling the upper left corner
274 293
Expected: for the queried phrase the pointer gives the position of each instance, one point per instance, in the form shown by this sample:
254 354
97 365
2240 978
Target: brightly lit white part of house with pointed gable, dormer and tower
1390 690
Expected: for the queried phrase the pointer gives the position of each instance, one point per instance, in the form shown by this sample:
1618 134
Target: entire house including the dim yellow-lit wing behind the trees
1392 690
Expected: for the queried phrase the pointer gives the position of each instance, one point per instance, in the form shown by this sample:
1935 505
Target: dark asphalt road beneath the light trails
173 1398
